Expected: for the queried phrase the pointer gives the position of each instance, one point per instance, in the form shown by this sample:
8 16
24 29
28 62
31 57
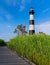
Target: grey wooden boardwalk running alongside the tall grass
7 57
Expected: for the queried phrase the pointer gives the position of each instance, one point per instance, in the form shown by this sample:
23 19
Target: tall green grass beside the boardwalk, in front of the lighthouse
36 48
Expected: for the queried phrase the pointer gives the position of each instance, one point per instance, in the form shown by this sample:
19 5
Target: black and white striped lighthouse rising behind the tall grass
31 22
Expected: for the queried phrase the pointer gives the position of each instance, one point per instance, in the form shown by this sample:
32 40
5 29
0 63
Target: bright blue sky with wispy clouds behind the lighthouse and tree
15 12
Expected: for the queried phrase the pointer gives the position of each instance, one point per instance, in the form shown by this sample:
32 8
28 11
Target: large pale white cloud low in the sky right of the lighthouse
44 27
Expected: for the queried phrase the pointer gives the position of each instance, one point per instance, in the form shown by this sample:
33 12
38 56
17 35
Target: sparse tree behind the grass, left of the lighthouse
20 30
